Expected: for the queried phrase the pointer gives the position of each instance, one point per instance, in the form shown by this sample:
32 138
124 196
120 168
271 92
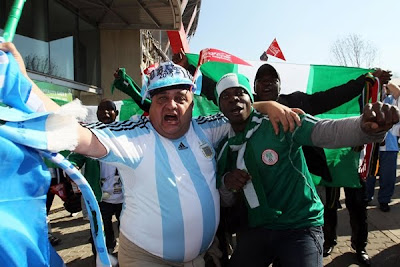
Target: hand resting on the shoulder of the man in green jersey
278 113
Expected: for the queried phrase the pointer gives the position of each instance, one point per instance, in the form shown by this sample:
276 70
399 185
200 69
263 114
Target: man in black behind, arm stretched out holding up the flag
267 86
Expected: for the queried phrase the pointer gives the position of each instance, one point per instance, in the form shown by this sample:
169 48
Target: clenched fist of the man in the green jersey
378 117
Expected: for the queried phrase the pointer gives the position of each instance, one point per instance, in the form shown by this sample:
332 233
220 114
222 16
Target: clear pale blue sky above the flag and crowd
305 30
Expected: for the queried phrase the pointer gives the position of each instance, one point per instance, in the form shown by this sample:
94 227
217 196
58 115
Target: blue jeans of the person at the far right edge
387 177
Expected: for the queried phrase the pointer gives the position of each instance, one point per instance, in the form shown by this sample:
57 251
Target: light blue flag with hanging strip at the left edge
26 179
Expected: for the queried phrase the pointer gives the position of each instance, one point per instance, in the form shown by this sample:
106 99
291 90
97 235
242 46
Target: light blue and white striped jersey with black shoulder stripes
171 202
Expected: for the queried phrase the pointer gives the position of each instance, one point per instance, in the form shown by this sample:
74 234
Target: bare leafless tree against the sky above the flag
353 51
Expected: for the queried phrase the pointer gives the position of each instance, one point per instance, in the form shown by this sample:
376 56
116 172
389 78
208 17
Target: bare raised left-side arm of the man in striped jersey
88 144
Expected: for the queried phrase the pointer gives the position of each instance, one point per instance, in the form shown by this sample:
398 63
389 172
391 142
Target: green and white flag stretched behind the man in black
343 163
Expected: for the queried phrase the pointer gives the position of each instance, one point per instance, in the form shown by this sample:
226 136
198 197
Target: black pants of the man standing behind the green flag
356 203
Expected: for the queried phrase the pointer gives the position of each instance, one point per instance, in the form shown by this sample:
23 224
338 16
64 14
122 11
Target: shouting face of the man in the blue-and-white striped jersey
171 112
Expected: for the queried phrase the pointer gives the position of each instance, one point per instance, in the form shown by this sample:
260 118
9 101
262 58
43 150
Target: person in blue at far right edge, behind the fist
388 151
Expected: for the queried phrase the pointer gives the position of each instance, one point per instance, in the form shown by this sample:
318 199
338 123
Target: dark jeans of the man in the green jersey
258 247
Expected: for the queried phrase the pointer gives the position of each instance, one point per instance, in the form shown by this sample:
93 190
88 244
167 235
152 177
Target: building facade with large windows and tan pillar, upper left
72 47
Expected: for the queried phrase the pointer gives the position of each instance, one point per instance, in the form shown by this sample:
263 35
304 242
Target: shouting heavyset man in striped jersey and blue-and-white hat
167 166
